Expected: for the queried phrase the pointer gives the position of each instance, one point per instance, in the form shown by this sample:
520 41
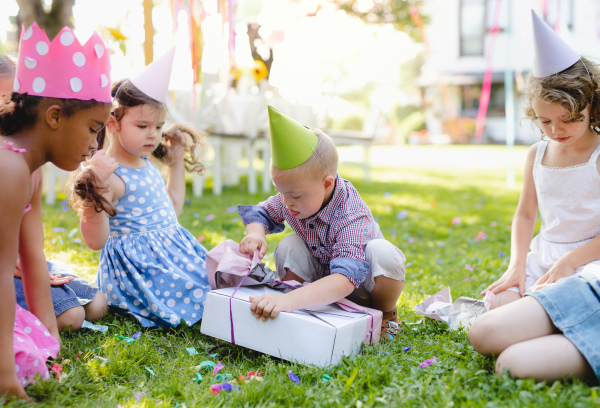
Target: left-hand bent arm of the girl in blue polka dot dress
94 225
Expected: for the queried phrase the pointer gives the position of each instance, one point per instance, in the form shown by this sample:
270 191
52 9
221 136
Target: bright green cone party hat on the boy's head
291 143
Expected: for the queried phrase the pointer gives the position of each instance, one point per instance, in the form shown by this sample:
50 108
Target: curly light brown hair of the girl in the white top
574 89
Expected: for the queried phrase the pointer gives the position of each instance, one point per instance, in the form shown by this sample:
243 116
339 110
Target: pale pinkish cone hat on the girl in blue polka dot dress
154 79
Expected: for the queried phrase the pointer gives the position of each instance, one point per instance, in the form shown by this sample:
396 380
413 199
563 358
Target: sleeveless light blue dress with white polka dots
151 267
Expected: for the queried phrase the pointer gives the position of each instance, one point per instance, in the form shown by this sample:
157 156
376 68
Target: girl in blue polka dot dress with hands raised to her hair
150 266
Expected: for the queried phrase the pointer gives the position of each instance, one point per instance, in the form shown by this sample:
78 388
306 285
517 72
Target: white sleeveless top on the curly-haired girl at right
568 199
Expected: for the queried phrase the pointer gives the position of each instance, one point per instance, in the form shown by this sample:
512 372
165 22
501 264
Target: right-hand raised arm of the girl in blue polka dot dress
176 177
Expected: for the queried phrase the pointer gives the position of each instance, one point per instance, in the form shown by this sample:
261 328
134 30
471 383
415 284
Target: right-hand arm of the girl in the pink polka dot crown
33 262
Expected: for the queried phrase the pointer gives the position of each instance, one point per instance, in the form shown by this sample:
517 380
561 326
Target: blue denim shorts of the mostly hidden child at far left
78 292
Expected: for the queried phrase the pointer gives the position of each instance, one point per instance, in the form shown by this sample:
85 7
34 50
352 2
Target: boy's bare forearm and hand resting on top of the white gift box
322 292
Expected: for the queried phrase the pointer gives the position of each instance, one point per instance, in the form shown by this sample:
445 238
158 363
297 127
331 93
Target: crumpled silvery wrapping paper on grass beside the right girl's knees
463 312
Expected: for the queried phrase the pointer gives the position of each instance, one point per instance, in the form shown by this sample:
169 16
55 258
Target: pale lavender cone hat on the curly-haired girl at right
551 54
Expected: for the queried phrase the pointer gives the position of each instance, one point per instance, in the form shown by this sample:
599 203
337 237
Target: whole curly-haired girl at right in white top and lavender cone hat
552 332
